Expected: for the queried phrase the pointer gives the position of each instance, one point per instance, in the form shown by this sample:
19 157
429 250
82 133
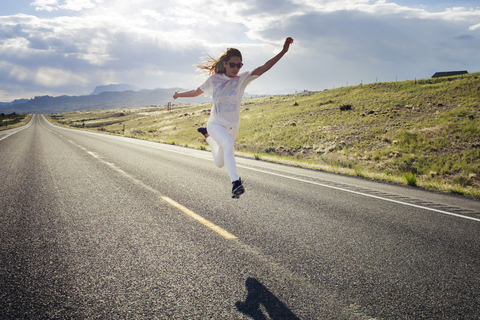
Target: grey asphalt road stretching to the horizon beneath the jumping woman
98 227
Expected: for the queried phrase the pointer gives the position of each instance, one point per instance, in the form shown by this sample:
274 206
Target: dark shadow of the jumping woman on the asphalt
257 295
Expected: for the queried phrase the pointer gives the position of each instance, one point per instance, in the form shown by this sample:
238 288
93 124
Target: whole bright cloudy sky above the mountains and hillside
68 47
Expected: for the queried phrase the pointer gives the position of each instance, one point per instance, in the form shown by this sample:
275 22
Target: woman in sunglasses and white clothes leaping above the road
227 87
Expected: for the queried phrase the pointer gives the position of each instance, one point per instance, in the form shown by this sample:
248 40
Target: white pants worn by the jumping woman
221 141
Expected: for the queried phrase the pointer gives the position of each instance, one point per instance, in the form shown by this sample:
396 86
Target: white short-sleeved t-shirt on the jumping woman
227 96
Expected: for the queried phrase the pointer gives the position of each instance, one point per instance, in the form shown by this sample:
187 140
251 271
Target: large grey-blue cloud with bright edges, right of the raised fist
369 35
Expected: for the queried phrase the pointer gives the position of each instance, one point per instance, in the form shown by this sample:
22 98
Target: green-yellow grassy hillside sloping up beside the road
422 132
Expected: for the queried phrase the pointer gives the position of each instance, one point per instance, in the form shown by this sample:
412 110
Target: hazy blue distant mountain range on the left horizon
104 100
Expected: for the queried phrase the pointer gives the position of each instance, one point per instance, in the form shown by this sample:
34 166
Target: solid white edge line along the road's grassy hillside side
291 178
